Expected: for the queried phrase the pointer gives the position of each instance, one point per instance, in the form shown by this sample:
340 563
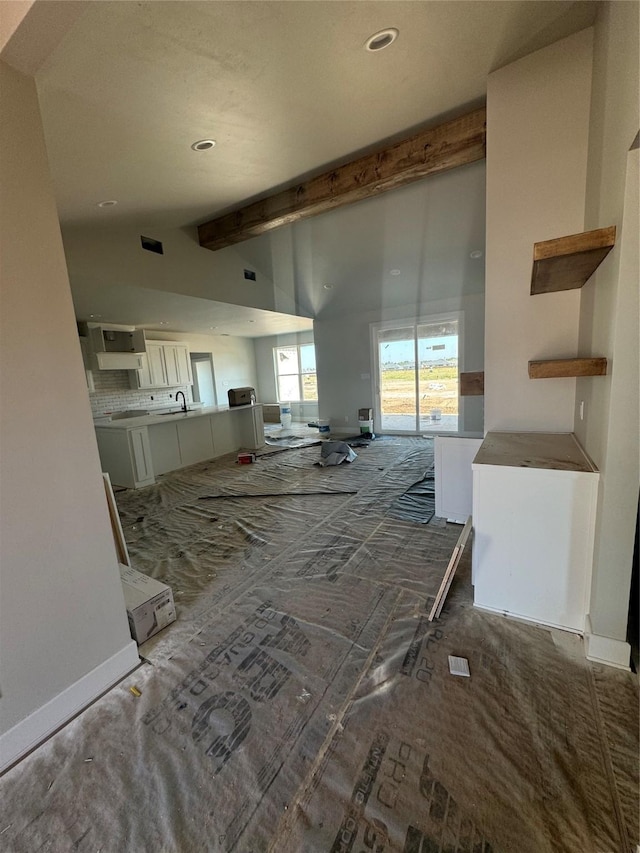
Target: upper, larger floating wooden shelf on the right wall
567 262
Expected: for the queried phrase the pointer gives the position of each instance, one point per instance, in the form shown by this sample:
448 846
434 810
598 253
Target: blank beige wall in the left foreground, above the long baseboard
62 612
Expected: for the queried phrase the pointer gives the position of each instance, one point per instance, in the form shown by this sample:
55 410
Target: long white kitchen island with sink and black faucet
135 450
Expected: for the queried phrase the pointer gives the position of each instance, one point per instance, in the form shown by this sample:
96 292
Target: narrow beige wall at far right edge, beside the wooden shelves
609 312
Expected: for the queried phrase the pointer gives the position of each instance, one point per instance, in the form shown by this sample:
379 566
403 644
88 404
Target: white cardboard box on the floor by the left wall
149 603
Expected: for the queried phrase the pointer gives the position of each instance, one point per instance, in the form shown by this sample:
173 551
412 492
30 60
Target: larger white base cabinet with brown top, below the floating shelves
534 510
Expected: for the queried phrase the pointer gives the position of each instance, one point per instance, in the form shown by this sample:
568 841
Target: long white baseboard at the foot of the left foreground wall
31 731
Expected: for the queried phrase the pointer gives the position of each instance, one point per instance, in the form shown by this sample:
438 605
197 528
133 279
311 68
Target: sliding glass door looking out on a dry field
418 375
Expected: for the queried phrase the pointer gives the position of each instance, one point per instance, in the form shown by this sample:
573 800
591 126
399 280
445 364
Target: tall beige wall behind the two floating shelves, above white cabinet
537 131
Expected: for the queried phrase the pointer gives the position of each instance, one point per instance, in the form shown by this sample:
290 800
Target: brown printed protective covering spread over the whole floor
303 702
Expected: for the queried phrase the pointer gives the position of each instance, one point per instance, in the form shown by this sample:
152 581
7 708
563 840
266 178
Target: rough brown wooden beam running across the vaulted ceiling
439 149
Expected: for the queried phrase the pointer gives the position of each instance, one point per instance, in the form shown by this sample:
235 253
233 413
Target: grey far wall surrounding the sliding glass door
346 367
